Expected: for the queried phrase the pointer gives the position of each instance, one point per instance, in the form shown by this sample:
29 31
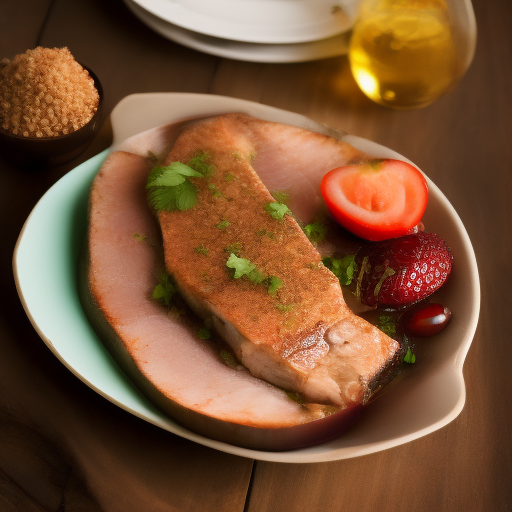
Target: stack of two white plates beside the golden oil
273 31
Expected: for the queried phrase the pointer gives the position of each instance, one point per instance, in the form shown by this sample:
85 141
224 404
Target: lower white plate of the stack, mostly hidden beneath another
239 50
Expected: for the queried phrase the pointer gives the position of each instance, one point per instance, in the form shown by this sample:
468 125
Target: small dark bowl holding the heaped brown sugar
39 153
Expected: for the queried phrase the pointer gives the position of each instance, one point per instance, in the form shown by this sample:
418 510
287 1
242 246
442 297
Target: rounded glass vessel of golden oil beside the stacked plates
402 53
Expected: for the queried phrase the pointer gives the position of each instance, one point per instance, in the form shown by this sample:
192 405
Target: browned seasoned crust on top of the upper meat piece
310 296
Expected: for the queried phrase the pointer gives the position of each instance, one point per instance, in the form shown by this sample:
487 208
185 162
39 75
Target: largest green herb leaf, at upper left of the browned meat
169 188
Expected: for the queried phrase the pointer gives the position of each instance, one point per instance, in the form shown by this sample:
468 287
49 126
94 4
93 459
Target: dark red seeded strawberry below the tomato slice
401 271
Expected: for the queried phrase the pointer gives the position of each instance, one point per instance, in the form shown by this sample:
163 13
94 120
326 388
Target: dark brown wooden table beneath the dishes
65 448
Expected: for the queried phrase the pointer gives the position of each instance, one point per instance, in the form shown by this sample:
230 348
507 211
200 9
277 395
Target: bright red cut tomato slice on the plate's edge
378 199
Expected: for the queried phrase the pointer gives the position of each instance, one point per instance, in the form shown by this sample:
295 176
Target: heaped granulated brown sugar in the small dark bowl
45 92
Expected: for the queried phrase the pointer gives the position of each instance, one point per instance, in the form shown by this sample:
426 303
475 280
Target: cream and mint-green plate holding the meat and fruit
430 395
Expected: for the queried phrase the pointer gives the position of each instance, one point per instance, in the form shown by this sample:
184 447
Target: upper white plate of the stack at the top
258 21
